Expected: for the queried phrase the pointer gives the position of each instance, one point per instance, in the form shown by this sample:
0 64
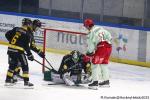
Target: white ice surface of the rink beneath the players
126 80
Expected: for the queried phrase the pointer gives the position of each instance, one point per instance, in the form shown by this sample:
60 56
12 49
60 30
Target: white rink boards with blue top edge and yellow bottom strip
129 45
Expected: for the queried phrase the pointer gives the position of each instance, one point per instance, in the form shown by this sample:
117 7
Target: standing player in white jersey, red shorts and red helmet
99 50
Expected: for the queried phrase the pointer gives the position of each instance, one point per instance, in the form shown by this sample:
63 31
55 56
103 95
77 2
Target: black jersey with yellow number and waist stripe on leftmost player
19 39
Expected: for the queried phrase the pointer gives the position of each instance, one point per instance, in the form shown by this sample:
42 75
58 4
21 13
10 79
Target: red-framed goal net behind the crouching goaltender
59 41
